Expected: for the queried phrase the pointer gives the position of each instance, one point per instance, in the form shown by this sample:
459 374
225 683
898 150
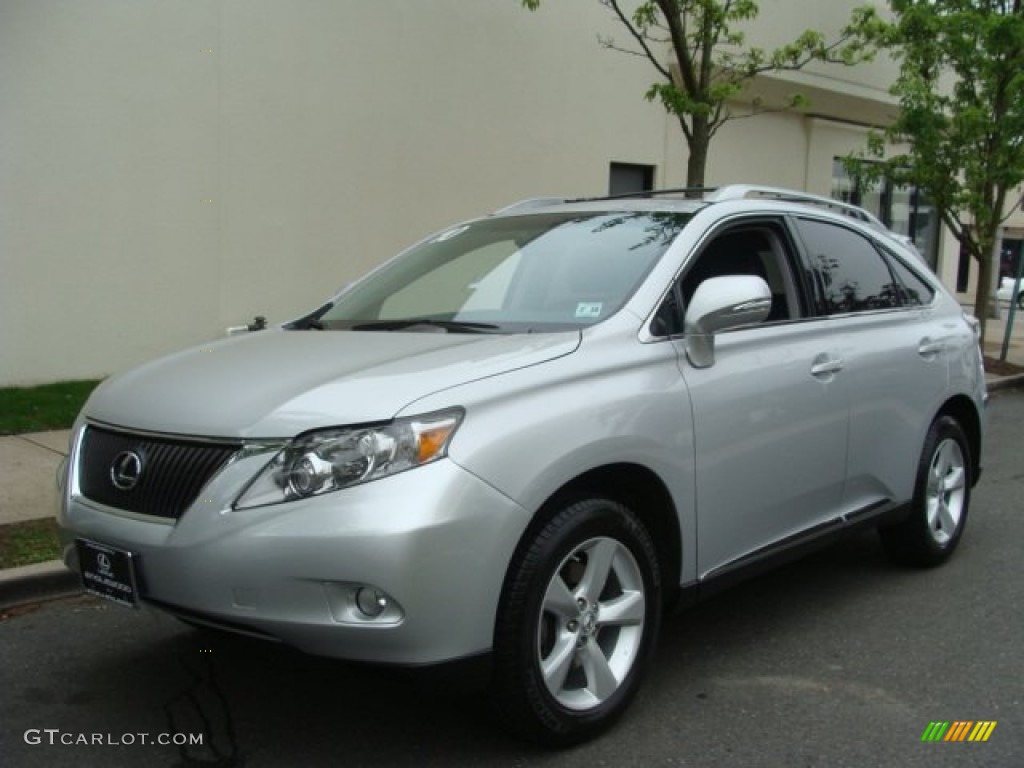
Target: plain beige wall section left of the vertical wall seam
108 143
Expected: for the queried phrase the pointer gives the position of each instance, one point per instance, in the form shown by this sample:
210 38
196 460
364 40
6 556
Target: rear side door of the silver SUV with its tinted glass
895 355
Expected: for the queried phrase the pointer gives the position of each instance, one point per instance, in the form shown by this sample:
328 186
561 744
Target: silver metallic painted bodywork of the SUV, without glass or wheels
756 448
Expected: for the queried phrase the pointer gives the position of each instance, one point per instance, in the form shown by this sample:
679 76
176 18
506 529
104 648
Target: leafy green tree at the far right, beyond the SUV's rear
961 91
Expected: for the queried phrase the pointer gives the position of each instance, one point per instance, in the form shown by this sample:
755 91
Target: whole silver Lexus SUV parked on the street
530 436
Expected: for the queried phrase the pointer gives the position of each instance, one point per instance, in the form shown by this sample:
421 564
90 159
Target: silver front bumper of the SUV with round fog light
437 540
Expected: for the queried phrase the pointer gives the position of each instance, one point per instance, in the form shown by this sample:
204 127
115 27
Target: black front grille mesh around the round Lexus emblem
174 472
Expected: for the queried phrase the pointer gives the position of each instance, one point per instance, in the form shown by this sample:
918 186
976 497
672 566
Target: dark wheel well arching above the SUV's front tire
642 491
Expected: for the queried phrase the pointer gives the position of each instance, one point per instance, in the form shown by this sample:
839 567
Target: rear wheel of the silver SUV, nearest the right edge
942 499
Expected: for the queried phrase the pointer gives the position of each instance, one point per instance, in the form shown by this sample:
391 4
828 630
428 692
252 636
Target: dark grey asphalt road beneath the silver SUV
838 661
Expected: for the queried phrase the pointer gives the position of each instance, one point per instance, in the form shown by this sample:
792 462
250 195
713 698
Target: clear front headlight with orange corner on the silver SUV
332 459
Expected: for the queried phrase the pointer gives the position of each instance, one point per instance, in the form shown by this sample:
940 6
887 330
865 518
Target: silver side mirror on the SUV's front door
721 305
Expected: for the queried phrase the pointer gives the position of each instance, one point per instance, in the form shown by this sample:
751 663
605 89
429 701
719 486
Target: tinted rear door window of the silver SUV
855 278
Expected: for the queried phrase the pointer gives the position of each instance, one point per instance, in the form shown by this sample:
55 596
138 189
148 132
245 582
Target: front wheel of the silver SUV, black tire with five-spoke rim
577 624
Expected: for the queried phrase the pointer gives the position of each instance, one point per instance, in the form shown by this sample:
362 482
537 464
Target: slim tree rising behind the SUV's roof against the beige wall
703 66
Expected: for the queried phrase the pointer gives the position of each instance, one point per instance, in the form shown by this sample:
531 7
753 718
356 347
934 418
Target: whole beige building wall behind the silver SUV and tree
168 169
